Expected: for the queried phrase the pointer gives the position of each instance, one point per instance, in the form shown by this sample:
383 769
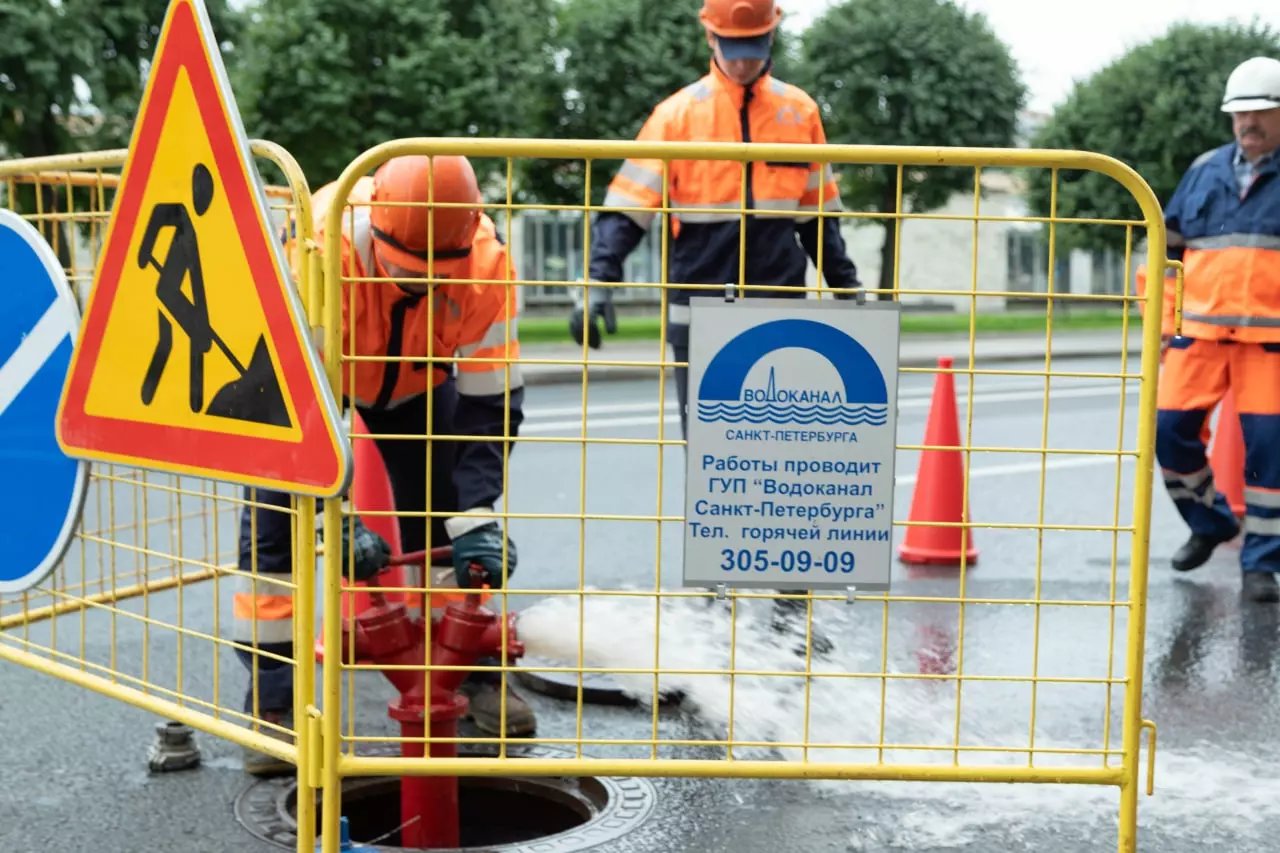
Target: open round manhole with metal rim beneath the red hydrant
513 814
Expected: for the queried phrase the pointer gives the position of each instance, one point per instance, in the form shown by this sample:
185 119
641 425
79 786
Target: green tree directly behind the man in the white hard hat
1156 110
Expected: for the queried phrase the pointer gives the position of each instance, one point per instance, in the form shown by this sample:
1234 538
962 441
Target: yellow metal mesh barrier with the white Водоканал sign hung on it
1071 642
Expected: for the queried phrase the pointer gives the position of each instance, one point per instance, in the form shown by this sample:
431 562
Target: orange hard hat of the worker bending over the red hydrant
404 231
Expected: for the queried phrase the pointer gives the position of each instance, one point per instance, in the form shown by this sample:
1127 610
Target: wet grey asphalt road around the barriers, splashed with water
75 763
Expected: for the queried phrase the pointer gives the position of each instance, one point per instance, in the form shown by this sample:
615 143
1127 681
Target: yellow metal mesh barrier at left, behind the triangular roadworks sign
120 615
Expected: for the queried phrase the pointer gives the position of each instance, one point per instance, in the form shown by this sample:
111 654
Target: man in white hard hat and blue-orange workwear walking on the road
1224 226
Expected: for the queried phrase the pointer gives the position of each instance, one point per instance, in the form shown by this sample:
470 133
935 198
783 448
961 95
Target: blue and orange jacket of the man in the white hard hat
1229 244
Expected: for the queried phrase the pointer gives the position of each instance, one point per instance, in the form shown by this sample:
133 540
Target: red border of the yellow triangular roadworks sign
313 466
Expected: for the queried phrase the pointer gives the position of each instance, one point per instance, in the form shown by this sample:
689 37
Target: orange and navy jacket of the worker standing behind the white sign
705 247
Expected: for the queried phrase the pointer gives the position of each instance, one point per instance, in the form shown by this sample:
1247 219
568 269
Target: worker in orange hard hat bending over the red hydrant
392 321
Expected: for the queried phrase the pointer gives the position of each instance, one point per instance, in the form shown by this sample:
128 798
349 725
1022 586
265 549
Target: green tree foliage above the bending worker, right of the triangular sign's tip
331 79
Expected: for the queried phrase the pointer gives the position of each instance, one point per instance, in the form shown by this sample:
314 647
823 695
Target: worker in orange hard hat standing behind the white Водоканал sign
738 102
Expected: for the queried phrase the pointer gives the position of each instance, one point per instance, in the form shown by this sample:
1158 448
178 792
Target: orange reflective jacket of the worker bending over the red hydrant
464 321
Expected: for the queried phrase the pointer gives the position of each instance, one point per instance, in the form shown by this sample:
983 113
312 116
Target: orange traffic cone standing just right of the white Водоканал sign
940 486
